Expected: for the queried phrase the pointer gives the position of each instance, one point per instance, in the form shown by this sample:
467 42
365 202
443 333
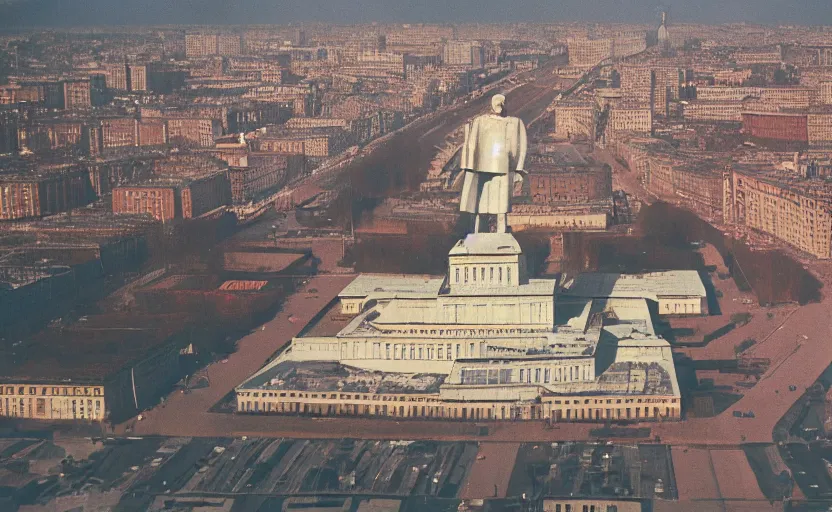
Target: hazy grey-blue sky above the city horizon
93 12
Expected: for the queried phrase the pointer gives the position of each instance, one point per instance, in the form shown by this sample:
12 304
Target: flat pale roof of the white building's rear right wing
673 283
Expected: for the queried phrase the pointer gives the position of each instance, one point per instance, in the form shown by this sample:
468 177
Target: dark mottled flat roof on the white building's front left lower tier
325 376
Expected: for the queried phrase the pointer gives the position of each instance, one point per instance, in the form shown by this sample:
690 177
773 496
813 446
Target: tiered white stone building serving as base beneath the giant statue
484 342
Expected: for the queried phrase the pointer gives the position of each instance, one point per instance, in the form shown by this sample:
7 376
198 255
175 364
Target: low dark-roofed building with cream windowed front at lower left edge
105 369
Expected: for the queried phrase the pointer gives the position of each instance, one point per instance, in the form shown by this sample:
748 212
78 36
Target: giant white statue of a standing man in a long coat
492 157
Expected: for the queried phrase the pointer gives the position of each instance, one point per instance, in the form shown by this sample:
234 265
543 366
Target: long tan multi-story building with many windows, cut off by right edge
794 209
